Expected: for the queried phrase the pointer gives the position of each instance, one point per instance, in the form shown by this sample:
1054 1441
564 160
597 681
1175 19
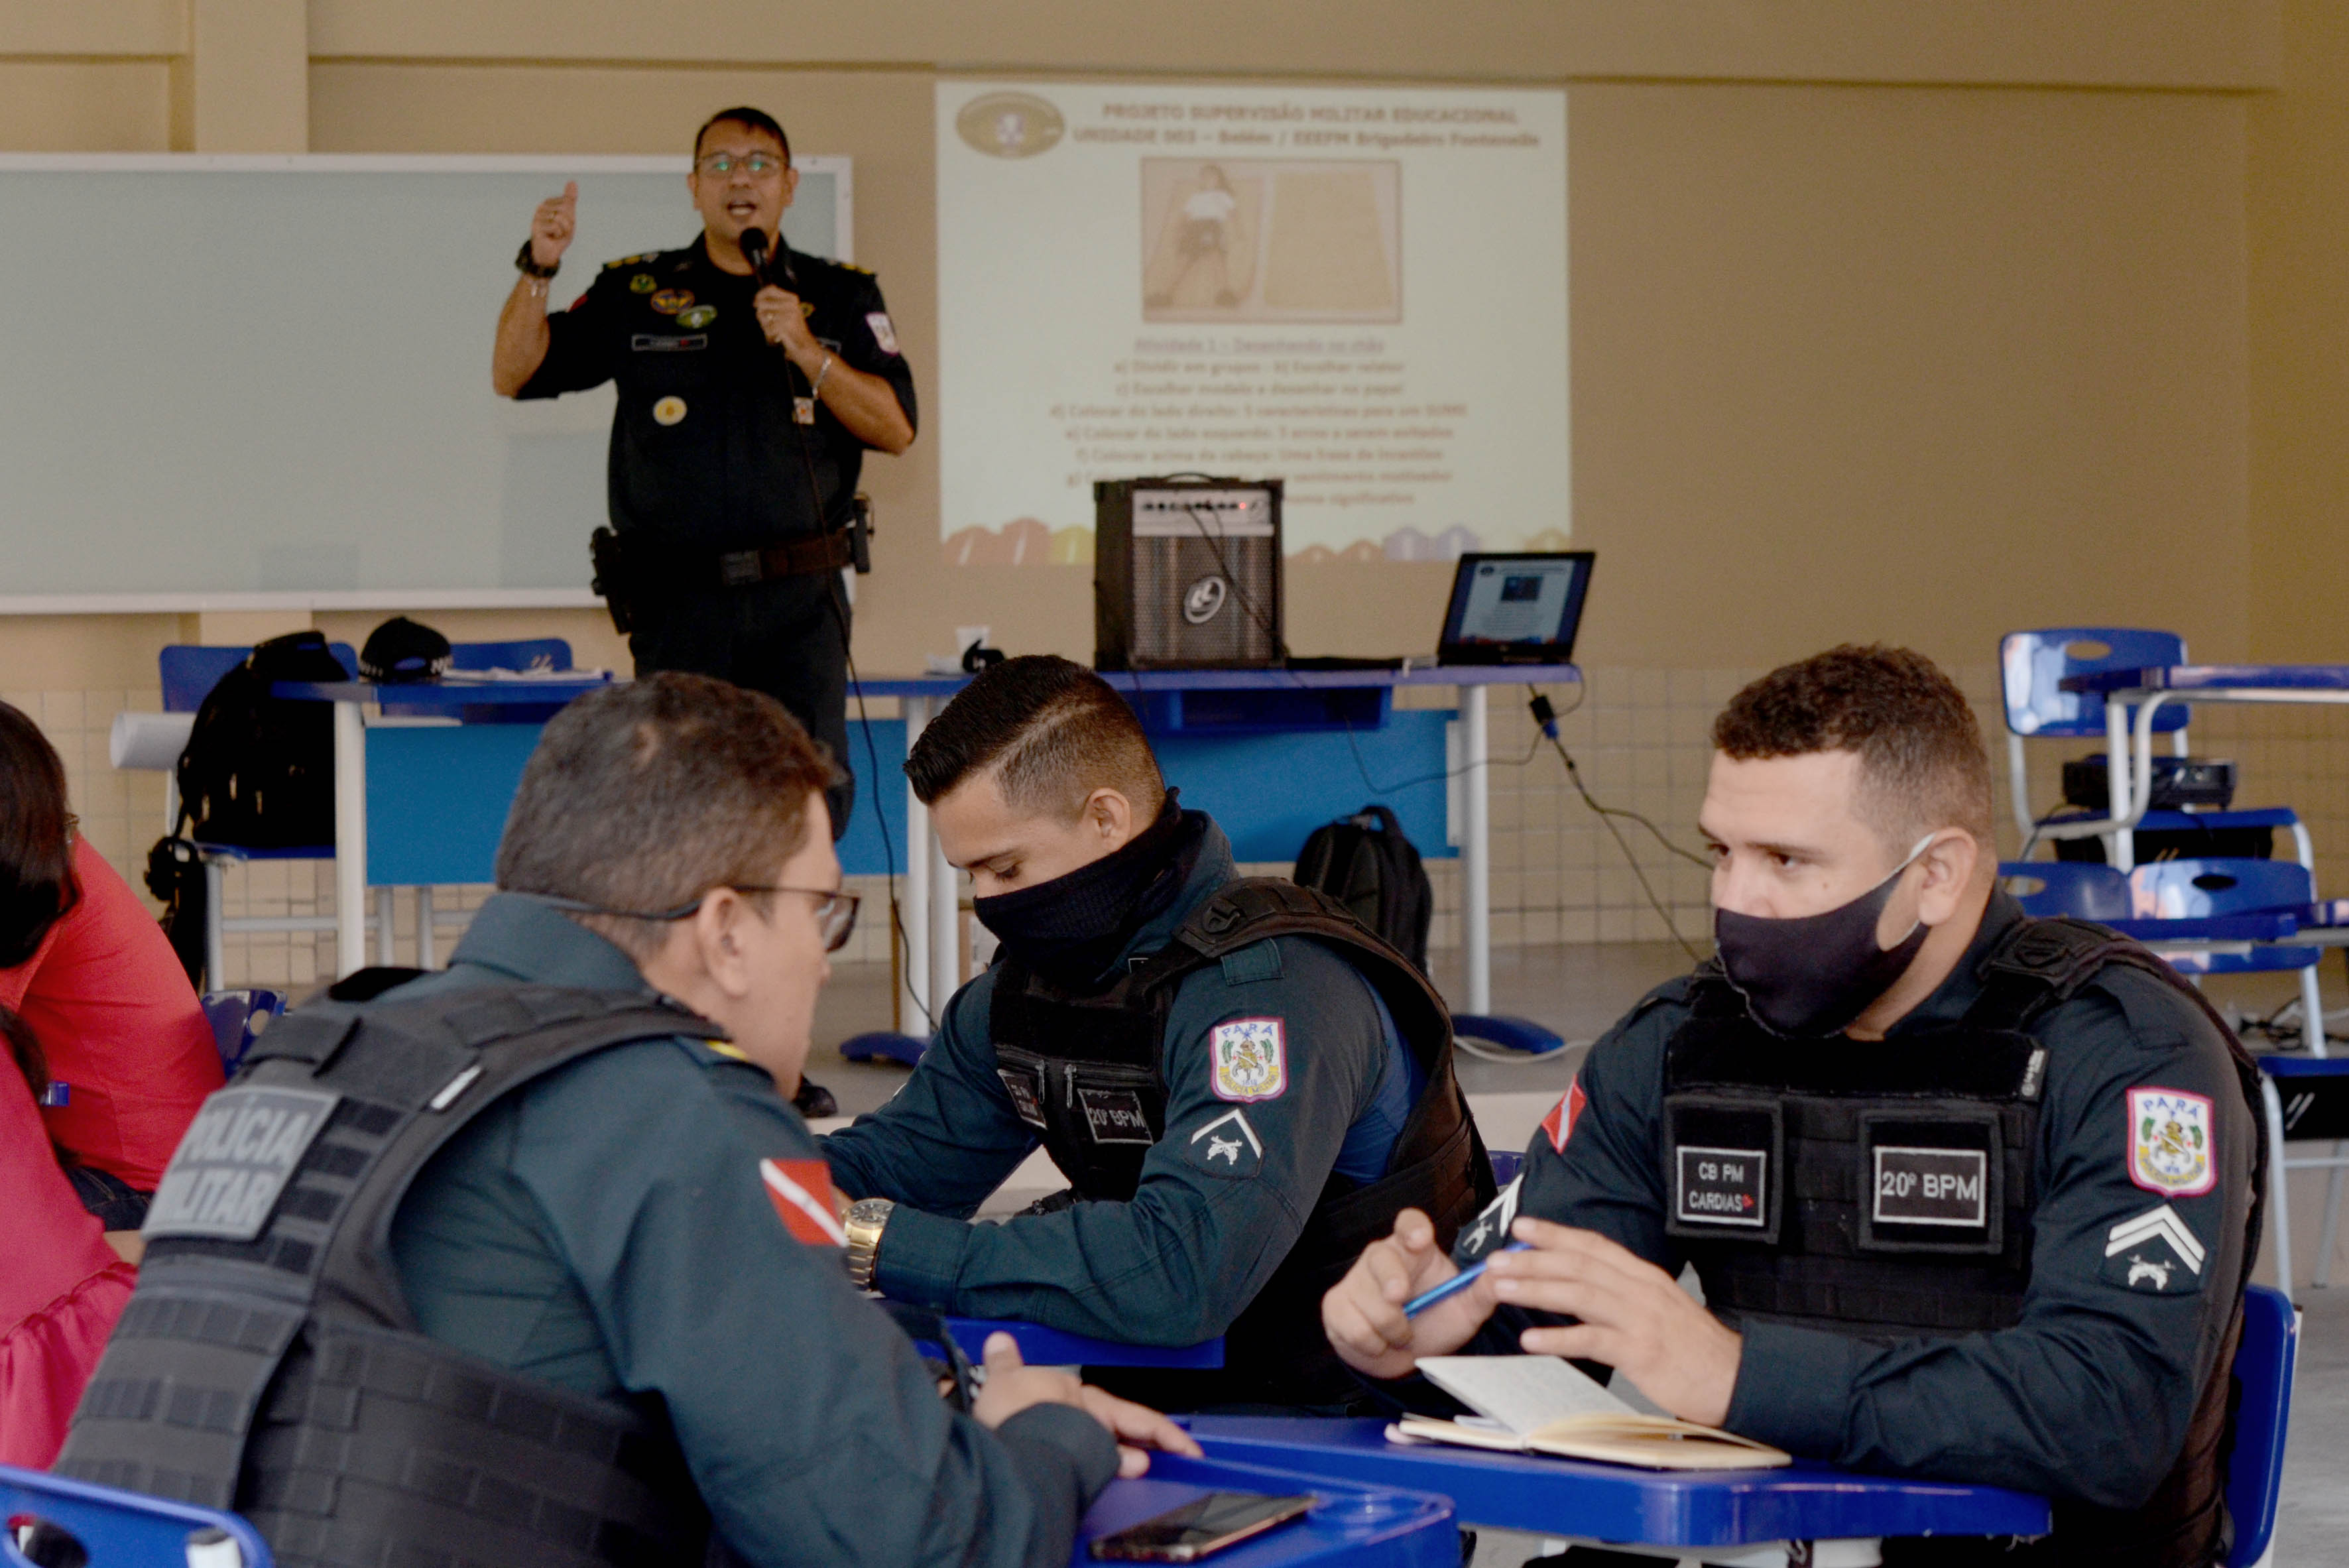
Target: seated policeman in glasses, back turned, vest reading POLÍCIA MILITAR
586 1334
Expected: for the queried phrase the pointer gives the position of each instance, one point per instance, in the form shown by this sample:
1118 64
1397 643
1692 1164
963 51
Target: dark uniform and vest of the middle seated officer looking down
1237 1118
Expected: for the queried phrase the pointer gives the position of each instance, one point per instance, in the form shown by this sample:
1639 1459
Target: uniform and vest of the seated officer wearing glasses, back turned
584 1337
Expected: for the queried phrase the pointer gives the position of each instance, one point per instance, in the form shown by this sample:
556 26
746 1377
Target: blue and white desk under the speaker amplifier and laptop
1300 757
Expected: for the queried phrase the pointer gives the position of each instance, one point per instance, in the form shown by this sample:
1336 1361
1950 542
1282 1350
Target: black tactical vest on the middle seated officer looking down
1084 1072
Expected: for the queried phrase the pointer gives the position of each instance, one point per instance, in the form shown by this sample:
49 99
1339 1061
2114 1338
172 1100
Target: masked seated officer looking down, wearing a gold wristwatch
1239 1081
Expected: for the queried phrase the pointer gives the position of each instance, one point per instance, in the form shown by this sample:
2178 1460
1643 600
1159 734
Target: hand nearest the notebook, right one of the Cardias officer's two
1634 1318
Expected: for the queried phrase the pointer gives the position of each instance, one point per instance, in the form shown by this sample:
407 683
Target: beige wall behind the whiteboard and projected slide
1890 323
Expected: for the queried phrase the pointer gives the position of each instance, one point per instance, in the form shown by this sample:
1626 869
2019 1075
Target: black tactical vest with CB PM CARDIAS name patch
1885 1189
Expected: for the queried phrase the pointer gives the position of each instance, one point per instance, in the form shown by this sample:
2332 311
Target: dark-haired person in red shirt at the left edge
95 980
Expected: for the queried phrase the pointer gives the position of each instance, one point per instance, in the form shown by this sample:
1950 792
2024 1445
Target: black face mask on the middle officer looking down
1072 928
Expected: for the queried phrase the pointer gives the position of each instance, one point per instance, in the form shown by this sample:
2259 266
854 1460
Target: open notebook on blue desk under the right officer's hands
1544 1405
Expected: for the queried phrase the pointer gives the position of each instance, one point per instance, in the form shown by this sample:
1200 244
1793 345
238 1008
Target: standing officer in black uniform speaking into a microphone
743 419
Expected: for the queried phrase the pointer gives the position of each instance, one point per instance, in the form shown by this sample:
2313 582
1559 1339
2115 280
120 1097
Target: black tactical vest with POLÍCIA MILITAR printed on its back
269 1360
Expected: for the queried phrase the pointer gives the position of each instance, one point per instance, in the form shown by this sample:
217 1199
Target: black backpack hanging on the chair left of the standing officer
260 771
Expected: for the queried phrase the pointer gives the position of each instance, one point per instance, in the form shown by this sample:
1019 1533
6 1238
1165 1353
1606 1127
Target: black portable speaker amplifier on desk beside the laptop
1187 574
